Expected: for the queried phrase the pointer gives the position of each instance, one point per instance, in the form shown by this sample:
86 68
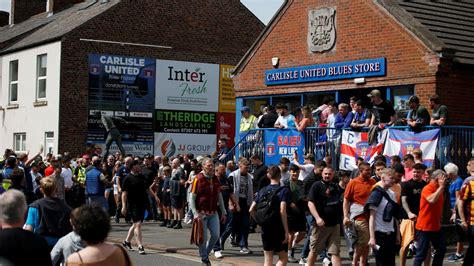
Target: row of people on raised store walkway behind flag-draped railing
356 114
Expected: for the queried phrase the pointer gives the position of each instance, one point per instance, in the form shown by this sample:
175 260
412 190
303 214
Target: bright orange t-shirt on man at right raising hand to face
429 217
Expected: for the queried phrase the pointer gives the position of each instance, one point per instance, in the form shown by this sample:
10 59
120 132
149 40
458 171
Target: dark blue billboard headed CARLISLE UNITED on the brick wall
121 102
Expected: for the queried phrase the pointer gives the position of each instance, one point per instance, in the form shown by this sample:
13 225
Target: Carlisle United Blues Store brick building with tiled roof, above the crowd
312 49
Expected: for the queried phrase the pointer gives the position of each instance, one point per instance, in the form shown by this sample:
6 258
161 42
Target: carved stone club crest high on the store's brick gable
321 29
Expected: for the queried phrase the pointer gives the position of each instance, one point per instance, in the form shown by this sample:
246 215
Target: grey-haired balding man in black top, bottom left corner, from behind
18 246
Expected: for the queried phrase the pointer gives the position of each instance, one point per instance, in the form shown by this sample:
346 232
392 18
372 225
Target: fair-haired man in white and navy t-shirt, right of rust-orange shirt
382 229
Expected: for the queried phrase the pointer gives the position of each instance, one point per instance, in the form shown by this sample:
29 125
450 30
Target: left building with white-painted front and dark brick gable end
57 37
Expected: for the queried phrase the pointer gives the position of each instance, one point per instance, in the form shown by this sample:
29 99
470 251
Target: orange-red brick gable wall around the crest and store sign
364 30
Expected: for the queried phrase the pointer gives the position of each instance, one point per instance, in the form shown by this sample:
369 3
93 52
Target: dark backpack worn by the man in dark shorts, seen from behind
268 207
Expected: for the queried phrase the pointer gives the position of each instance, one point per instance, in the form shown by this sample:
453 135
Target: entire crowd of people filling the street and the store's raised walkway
61 205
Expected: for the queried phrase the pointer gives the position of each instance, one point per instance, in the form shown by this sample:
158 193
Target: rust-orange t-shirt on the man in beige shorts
358 191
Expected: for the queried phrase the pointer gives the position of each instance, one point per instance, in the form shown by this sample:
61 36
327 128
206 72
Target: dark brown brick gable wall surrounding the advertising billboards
201 31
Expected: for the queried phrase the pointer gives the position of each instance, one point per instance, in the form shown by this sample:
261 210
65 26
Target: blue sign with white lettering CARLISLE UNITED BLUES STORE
323 72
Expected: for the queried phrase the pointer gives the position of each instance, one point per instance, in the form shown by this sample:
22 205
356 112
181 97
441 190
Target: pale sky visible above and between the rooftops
263 9
